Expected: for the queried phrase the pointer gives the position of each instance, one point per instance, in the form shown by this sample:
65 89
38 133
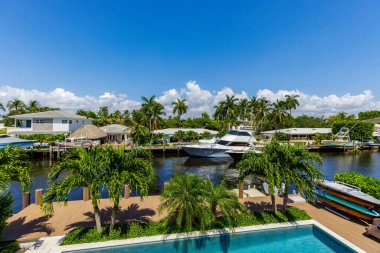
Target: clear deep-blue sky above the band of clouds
147 47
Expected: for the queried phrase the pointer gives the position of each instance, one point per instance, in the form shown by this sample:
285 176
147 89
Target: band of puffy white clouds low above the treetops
197 98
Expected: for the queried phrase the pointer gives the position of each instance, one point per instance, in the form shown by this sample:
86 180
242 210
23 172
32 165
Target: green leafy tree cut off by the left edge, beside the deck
14 167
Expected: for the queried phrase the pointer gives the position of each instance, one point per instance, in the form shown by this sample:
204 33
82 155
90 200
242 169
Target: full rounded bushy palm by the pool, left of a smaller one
185 200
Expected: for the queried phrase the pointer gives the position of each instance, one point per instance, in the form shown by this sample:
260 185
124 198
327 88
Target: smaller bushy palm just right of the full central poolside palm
225 201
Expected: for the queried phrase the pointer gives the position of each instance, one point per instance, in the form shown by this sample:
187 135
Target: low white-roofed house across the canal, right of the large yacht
298 133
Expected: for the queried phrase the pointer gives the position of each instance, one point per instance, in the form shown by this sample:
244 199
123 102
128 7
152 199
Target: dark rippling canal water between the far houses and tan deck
367 163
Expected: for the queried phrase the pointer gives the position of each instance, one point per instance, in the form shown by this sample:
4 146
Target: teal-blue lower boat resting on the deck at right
346 206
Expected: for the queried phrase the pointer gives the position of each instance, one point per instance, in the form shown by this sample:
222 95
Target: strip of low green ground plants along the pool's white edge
133 230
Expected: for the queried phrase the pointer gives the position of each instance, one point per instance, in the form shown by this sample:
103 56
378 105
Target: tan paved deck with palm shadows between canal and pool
30 224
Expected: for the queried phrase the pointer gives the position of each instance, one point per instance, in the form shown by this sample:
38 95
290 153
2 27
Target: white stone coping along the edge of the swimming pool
51 244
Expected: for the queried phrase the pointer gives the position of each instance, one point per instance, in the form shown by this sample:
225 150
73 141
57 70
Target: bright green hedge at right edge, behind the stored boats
369 185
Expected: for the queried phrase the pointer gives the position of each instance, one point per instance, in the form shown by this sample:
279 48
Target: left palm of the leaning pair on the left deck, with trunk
80 168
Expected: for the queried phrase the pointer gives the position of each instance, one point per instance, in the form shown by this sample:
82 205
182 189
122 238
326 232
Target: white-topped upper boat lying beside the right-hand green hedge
348 192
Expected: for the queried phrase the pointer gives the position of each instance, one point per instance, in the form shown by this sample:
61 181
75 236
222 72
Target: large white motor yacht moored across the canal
233 140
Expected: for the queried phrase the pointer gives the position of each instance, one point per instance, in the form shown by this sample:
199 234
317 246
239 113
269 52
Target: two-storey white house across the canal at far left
49 122
